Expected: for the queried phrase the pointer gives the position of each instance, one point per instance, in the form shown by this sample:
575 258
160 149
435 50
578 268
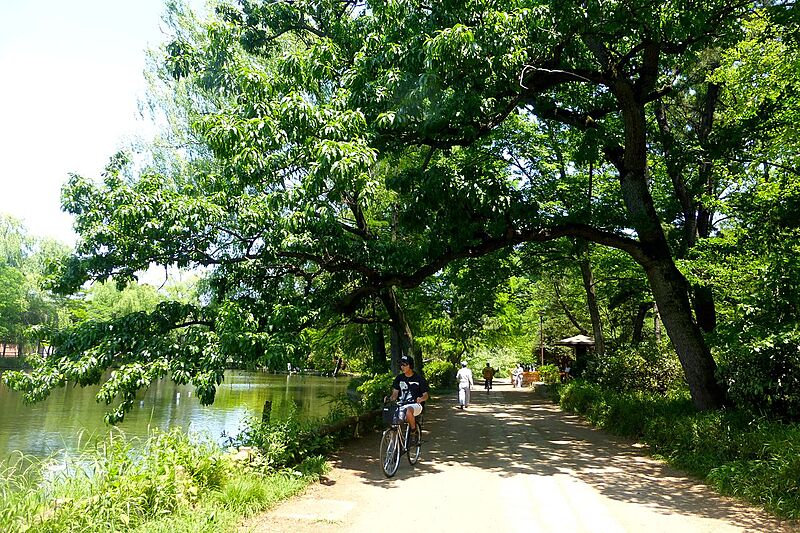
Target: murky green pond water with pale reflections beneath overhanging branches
71 416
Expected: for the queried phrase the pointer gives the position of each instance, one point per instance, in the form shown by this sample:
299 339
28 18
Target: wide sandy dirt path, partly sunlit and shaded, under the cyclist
509 463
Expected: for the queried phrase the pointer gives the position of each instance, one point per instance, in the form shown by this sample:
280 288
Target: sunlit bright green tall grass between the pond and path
167 483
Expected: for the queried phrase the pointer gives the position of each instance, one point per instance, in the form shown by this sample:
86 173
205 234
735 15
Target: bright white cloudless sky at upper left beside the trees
71 77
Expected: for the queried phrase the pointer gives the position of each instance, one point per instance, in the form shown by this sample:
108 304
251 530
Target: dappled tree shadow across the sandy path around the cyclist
512 432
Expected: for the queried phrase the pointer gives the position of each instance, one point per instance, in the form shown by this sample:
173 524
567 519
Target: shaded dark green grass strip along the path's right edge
740 455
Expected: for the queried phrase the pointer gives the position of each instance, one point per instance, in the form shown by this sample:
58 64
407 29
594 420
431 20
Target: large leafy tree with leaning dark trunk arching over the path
354 149
